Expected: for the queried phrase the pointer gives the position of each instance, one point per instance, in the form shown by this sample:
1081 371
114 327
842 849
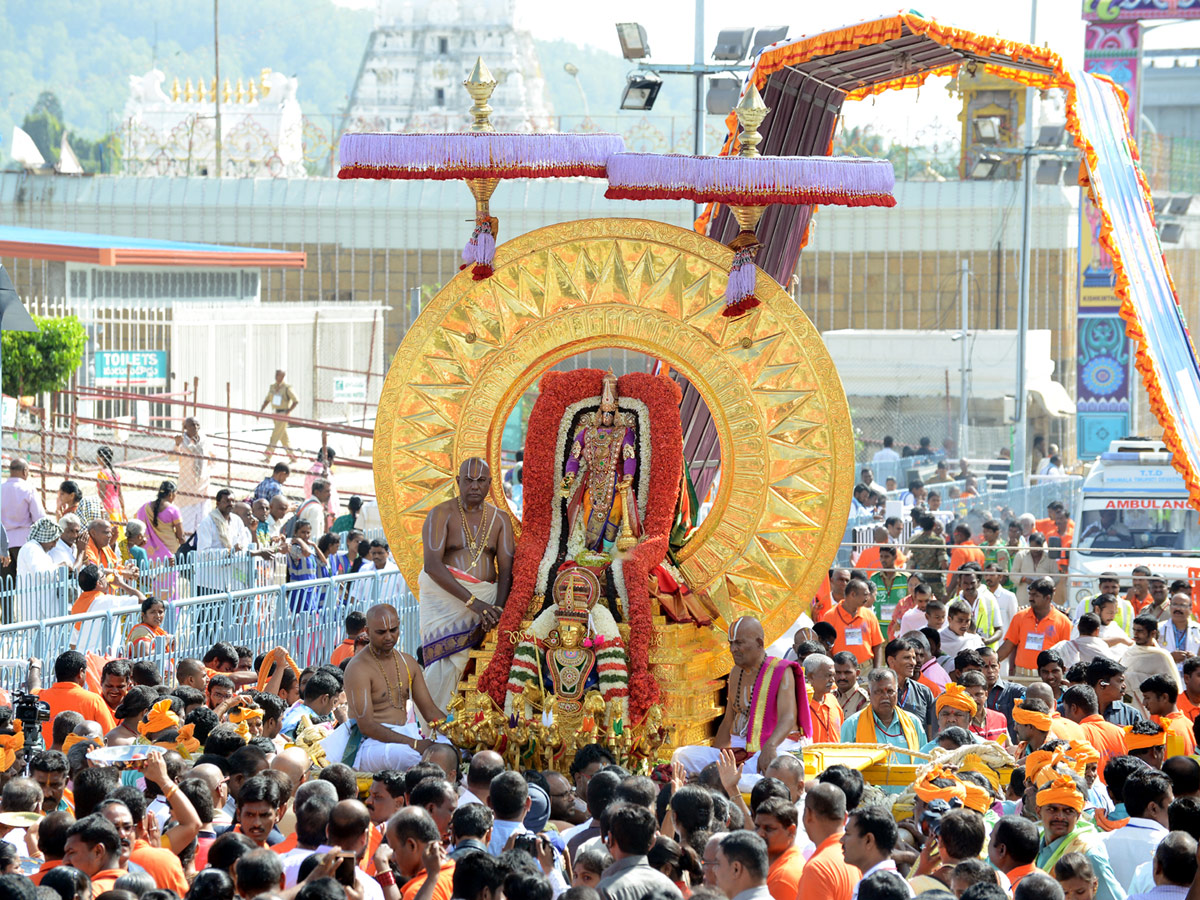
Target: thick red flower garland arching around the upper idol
662 398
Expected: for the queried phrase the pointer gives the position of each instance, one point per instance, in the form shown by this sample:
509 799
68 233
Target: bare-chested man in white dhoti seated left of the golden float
380 682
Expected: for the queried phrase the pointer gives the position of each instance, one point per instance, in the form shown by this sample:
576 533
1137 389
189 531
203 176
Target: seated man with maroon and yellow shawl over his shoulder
767 704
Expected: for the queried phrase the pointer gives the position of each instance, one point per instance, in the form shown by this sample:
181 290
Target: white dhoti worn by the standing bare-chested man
447 628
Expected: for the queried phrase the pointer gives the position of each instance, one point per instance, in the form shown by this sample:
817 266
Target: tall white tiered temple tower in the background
419 55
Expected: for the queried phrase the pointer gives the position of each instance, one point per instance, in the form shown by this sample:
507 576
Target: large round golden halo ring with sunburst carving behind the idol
788 463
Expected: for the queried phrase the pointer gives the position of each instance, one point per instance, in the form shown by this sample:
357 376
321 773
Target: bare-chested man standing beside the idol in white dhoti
465 580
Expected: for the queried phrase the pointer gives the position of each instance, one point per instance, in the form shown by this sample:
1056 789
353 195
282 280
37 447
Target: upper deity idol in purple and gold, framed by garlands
599 479
